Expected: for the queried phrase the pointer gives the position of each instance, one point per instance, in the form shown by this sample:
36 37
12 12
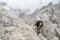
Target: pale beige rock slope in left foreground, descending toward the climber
14 28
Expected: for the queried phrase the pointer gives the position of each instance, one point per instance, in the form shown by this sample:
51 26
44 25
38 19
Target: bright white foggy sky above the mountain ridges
28 4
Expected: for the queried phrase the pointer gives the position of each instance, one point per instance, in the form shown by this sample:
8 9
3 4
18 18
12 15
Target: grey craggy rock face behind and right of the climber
50 17
